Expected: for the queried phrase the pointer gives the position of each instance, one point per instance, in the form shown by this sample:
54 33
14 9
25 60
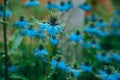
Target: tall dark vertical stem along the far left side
5 40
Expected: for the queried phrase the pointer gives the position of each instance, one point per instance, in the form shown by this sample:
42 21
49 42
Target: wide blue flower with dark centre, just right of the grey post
92 29
